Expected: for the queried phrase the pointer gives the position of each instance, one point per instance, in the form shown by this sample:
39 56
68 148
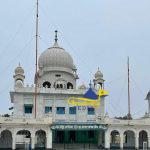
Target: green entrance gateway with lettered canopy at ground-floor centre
76 135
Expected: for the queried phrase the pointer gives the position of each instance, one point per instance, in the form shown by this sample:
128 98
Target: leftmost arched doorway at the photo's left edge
6 140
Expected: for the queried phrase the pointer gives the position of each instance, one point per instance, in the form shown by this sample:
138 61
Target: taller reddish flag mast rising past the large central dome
36 59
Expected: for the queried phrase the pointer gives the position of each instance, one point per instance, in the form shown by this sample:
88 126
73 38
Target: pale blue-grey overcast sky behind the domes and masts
97 33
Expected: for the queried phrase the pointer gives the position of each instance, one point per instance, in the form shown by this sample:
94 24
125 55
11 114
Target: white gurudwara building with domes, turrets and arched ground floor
58 124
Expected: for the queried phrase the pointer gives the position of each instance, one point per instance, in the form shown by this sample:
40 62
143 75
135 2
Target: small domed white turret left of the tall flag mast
19 76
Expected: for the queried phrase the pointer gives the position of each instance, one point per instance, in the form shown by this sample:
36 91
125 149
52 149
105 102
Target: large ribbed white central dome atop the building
55 56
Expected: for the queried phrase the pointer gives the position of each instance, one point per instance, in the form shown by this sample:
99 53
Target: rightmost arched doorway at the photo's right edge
143 139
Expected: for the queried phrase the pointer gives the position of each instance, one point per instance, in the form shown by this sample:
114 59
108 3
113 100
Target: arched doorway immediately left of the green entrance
40 139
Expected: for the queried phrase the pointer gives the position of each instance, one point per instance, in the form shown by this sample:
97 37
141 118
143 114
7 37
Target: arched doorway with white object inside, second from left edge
23 139
